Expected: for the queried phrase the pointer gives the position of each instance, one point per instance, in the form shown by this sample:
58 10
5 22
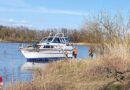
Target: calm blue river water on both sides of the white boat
12 62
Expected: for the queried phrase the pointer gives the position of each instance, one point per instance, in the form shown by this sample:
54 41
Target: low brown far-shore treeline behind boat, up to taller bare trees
21 34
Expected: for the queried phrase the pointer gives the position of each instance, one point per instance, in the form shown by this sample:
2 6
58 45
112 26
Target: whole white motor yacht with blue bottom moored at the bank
51 48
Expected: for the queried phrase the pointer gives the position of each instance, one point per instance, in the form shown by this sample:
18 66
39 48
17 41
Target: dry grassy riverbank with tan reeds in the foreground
108 72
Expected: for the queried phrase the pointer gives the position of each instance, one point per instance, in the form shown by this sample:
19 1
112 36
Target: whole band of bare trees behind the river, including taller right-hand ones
100 29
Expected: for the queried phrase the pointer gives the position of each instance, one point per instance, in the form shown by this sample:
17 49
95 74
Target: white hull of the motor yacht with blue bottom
46 55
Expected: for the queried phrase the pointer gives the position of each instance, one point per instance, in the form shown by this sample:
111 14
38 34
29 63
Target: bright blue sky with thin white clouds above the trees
44 14
